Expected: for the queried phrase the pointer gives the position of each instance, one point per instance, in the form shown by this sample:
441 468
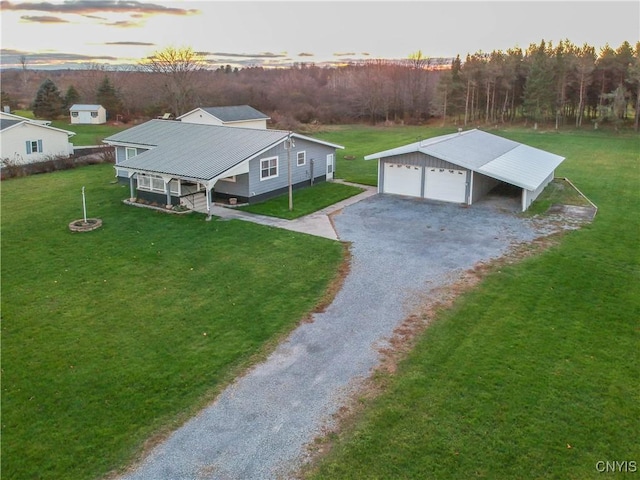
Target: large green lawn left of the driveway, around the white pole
114 336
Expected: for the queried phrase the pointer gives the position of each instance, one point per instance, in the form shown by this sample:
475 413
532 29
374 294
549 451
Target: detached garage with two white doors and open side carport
463 167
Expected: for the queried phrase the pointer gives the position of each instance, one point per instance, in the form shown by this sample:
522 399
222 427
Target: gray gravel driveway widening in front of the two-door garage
258 427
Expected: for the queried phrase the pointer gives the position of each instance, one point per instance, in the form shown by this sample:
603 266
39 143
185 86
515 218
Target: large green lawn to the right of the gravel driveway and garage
534 373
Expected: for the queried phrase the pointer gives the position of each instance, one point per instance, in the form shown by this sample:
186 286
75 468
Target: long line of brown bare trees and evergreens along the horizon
561 84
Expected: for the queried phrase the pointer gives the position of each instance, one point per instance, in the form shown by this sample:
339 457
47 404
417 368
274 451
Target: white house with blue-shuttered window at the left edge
25 141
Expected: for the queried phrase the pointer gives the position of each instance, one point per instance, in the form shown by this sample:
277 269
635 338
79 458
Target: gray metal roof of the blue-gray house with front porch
196 151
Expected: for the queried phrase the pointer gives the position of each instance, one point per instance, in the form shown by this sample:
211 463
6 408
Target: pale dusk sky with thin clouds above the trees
76 33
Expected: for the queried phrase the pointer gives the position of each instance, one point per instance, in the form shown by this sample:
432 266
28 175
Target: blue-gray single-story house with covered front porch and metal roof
175 163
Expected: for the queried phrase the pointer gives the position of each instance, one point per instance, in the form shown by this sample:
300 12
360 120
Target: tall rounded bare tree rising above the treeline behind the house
177 68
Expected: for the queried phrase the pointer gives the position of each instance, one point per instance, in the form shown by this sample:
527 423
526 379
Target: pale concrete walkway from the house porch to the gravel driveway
317 223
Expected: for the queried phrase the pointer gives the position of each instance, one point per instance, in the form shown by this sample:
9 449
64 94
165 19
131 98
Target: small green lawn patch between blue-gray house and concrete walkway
305 200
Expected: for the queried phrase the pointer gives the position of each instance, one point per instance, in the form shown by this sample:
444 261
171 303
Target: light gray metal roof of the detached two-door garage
494 156
